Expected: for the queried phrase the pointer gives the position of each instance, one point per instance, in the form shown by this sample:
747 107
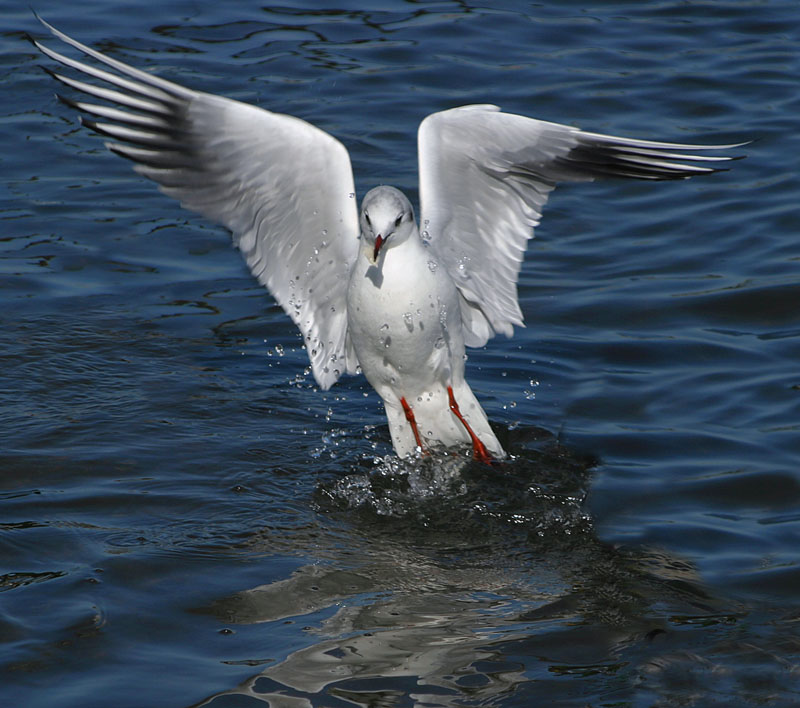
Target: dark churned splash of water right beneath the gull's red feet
540 492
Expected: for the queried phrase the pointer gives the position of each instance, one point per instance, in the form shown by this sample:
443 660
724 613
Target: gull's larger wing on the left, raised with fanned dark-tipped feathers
282 186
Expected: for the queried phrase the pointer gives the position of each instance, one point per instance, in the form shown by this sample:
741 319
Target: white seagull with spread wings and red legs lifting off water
368 289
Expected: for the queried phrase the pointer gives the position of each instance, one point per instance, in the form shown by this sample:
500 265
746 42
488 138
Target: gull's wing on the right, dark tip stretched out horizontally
484 177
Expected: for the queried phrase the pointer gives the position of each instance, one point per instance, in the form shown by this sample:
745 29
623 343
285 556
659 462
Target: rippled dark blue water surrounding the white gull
186 520
